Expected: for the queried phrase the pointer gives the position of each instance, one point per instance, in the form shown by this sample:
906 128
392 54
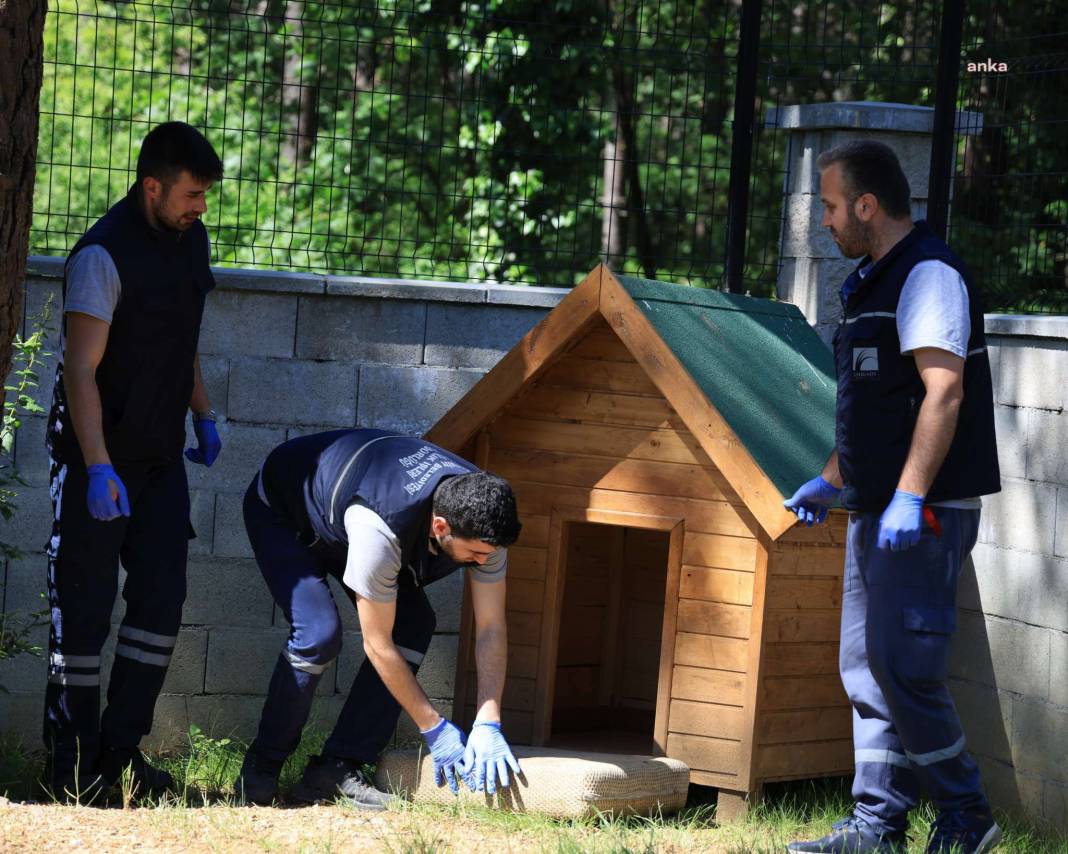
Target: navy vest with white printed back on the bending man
313 480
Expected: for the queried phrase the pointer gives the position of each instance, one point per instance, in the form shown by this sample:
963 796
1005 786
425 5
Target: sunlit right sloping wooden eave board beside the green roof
702 419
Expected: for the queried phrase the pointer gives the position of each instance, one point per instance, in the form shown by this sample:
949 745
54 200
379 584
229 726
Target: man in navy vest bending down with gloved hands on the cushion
386 515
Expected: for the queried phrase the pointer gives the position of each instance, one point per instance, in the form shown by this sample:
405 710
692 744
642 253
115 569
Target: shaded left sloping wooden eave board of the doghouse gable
524 363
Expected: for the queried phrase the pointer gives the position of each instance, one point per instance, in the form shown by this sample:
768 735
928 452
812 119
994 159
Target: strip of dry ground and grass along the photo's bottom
206 771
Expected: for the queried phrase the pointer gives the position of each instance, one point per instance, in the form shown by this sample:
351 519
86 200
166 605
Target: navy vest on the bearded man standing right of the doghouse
881 391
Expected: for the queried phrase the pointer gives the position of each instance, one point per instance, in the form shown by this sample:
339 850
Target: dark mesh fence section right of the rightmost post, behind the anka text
1010 210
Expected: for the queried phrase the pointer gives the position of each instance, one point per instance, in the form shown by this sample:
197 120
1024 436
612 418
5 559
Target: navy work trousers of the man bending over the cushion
297 580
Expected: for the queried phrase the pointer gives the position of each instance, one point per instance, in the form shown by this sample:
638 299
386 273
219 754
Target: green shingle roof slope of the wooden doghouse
760 365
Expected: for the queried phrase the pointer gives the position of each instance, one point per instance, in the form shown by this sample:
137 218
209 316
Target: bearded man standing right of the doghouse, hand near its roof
915 451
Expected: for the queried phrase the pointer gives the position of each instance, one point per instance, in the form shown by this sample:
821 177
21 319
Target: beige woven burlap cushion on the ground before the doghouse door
564 784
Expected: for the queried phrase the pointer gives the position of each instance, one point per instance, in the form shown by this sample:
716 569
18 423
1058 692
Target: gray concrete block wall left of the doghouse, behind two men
282 355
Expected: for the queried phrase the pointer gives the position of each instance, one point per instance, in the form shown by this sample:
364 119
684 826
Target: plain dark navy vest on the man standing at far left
146 377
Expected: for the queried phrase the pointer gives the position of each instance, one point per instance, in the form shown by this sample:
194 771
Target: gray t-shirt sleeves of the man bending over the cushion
373 563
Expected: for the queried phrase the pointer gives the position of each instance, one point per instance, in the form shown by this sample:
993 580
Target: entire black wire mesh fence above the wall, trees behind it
525 141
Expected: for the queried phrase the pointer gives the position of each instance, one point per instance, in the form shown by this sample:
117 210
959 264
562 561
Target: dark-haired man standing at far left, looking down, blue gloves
134 294
